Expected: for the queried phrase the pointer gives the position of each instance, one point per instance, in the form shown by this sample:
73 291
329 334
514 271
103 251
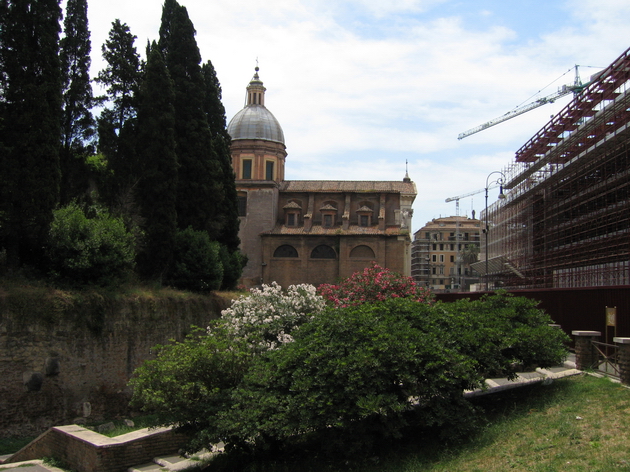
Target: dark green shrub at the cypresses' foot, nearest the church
197 266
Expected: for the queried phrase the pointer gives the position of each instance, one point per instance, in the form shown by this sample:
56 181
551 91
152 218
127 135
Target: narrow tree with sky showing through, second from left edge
77 123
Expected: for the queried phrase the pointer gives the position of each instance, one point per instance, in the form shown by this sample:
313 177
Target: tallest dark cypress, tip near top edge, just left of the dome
200 186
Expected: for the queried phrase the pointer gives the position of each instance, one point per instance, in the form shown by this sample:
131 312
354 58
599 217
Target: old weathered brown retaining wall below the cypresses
67 358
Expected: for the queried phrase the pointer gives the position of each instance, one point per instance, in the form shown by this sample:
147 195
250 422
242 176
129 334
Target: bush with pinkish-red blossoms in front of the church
373 284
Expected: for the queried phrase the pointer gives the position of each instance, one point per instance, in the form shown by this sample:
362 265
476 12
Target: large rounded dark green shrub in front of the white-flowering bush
359 369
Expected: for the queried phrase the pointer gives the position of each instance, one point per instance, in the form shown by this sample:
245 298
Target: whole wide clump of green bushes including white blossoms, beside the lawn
352 375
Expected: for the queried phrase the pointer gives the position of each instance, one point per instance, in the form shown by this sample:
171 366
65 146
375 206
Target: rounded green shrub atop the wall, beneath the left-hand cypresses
96 250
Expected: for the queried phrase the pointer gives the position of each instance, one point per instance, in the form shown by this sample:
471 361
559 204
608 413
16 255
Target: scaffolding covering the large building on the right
566 219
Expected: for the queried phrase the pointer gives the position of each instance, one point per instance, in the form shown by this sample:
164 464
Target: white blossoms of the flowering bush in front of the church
266 317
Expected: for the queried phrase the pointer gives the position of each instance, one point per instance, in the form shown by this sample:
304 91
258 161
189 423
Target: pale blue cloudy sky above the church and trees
370 89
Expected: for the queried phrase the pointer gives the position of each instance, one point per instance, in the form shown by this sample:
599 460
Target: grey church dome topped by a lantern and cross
255 121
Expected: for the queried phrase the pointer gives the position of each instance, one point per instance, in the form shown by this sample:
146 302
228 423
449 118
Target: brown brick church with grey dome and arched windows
310 231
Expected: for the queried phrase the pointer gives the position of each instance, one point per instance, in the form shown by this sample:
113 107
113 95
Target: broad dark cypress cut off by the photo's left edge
30 112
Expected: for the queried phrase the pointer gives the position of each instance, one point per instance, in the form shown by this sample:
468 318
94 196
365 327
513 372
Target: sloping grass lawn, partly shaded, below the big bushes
576 424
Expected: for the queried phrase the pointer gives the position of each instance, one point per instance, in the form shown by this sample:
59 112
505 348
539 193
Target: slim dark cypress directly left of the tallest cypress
156 192
